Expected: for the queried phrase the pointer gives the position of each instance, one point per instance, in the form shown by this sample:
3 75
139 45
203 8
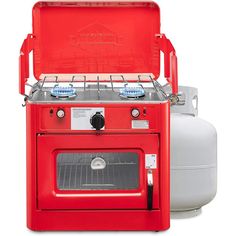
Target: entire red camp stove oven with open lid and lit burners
97 119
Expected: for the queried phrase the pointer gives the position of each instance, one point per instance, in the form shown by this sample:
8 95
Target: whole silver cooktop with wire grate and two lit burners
85 89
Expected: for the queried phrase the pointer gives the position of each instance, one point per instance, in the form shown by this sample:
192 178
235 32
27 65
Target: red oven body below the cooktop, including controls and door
64 192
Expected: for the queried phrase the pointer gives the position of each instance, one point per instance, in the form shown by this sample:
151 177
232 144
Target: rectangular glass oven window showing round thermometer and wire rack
97 171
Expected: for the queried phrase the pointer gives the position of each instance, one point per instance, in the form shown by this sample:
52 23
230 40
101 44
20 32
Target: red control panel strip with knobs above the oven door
117 118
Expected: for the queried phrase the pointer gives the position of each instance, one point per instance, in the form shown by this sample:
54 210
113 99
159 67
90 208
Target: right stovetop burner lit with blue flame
133 92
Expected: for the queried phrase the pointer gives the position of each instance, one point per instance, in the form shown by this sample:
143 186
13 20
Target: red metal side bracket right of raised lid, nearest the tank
170 62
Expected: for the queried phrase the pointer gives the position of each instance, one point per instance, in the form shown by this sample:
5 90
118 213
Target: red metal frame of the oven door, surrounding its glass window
49 197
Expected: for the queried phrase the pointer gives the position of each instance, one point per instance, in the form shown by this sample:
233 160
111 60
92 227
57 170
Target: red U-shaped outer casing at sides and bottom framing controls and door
97 219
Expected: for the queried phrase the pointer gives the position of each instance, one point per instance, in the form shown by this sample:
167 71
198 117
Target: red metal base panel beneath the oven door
98 220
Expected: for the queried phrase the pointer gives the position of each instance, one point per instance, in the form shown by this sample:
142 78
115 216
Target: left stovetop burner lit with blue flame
63 92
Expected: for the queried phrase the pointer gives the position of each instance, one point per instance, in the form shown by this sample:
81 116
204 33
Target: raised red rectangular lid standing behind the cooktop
96 37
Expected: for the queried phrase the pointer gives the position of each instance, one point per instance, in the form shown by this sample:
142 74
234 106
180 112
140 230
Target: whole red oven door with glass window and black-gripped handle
96 171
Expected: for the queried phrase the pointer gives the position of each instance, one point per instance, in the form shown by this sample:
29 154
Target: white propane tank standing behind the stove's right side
193 158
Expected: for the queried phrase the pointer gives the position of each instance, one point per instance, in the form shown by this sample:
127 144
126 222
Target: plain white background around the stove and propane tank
203 32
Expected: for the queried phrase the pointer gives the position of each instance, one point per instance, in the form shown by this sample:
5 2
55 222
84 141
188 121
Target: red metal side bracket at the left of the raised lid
26 48
